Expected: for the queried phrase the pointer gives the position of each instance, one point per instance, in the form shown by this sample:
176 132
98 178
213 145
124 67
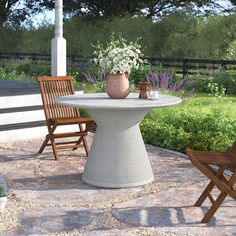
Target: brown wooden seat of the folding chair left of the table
70 120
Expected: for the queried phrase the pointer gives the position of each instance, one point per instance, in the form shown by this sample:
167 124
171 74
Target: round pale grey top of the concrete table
101 100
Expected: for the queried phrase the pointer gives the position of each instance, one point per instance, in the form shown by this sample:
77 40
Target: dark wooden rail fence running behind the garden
183 66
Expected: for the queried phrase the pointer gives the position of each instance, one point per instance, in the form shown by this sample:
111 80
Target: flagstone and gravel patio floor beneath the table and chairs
48 198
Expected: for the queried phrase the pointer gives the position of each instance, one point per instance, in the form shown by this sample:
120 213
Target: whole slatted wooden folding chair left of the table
56 115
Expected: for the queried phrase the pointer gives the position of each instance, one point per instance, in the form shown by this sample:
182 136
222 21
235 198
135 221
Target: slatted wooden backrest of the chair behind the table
53 87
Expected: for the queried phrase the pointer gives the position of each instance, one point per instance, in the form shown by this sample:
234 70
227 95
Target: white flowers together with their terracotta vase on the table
117 58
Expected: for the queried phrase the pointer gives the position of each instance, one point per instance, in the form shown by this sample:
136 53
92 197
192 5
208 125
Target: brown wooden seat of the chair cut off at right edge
217 158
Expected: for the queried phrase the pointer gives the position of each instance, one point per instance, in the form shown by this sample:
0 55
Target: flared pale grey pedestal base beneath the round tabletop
118 157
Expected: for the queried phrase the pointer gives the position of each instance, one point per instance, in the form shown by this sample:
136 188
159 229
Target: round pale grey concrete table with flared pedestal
118 157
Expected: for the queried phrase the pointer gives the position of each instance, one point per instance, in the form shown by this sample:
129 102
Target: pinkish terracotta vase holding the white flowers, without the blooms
117 85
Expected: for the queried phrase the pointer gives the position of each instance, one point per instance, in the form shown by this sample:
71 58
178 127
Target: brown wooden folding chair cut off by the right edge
204 161
